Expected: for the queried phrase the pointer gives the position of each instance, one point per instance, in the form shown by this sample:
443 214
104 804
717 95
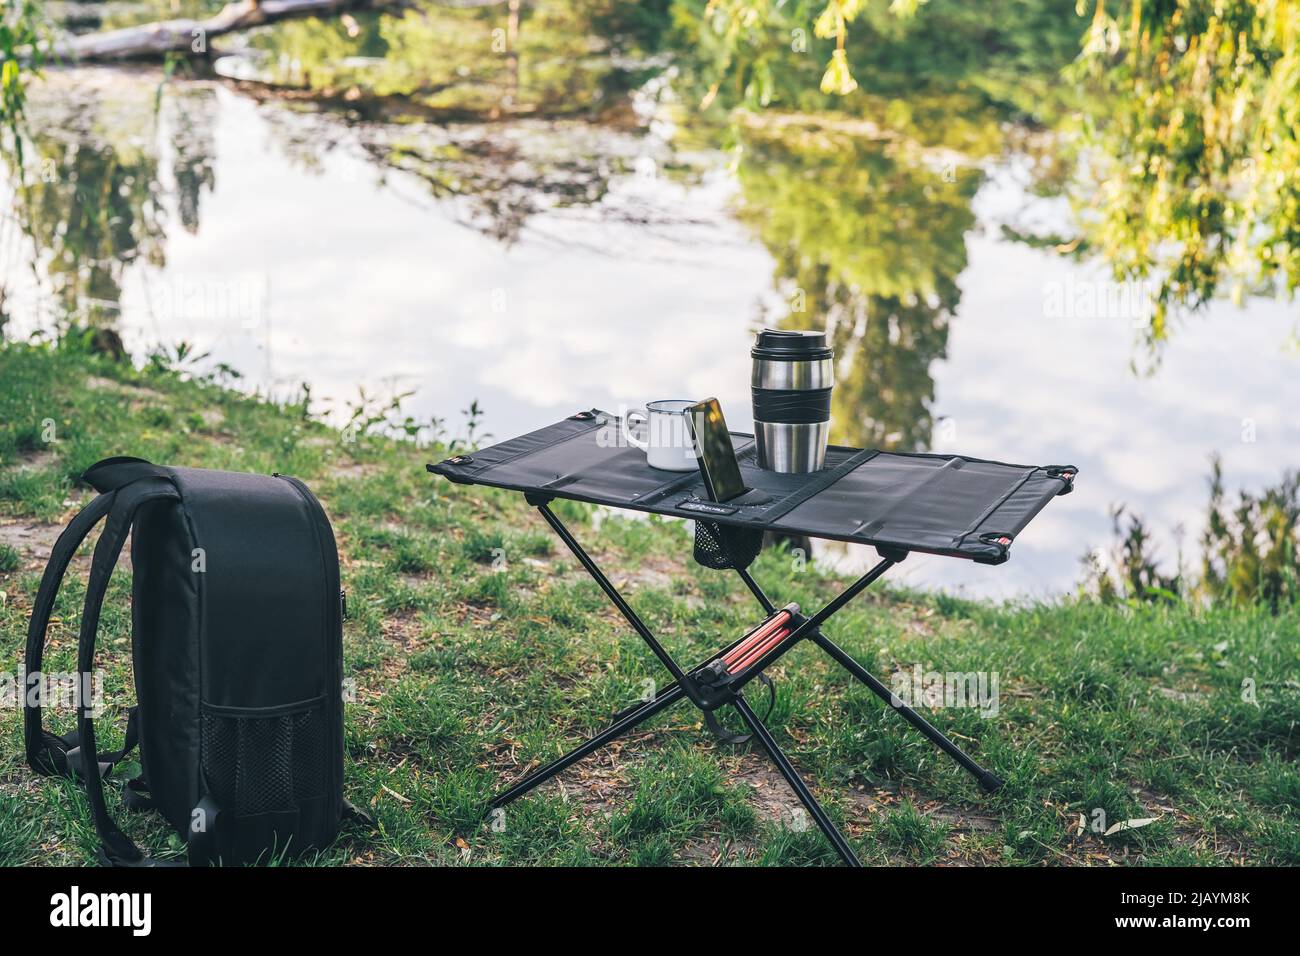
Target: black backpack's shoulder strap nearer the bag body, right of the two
118 847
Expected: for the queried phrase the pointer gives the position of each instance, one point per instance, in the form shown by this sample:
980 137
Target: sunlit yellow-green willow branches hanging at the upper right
1193 148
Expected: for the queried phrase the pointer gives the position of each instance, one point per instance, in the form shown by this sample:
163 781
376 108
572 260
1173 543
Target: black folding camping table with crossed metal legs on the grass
951 505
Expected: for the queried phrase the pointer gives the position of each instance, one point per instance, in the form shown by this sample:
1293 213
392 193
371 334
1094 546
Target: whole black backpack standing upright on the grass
237 647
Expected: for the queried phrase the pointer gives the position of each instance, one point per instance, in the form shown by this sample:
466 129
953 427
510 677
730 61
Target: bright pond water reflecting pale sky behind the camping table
545 267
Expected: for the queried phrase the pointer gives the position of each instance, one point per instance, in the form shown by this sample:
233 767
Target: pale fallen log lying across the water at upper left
193 36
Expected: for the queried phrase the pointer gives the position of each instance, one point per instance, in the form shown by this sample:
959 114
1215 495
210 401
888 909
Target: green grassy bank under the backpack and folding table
479 650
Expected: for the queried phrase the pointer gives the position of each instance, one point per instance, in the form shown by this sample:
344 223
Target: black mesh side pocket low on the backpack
265 764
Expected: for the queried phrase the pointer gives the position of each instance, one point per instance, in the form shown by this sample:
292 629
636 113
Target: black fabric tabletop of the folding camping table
967 508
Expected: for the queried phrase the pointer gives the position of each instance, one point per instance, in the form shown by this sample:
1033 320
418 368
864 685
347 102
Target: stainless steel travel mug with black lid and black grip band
792 382
